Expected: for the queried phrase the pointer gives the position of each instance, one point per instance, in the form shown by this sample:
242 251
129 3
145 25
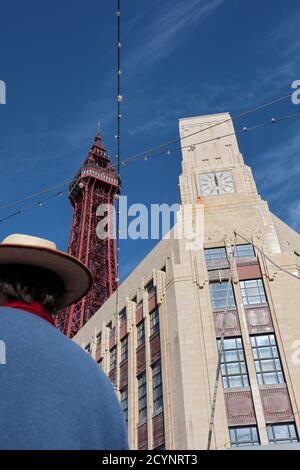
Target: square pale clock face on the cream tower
220 182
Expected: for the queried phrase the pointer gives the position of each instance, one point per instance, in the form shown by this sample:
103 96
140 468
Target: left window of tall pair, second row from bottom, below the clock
233 365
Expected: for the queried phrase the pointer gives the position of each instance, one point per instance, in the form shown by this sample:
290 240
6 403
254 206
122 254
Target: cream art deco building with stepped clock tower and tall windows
162 350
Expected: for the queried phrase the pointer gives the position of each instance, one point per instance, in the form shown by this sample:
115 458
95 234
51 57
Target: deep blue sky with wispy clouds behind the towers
180 58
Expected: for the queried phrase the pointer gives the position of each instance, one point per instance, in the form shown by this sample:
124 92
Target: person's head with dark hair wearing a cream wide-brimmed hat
32 269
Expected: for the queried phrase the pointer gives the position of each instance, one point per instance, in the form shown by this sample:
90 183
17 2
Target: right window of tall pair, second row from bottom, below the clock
267 361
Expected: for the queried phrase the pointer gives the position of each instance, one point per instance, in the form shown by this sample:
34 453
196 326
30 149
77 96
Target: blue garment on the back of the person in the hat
52 393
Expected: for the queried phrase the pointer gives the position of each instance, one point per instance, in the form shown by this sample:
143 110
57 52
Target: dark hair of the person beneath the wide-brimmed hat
31 284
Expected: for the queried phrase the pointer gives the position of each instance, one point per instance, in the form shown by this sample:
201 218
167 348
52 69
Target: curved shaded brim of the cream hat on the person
75 276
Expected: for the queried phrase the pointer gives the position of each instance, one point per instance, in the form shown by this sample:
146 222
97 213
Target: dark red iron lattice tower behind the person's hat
96 183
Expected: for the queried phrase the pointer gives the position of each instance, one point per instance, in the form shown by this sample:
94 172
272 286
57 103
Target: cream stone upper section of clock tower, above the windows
215 179
